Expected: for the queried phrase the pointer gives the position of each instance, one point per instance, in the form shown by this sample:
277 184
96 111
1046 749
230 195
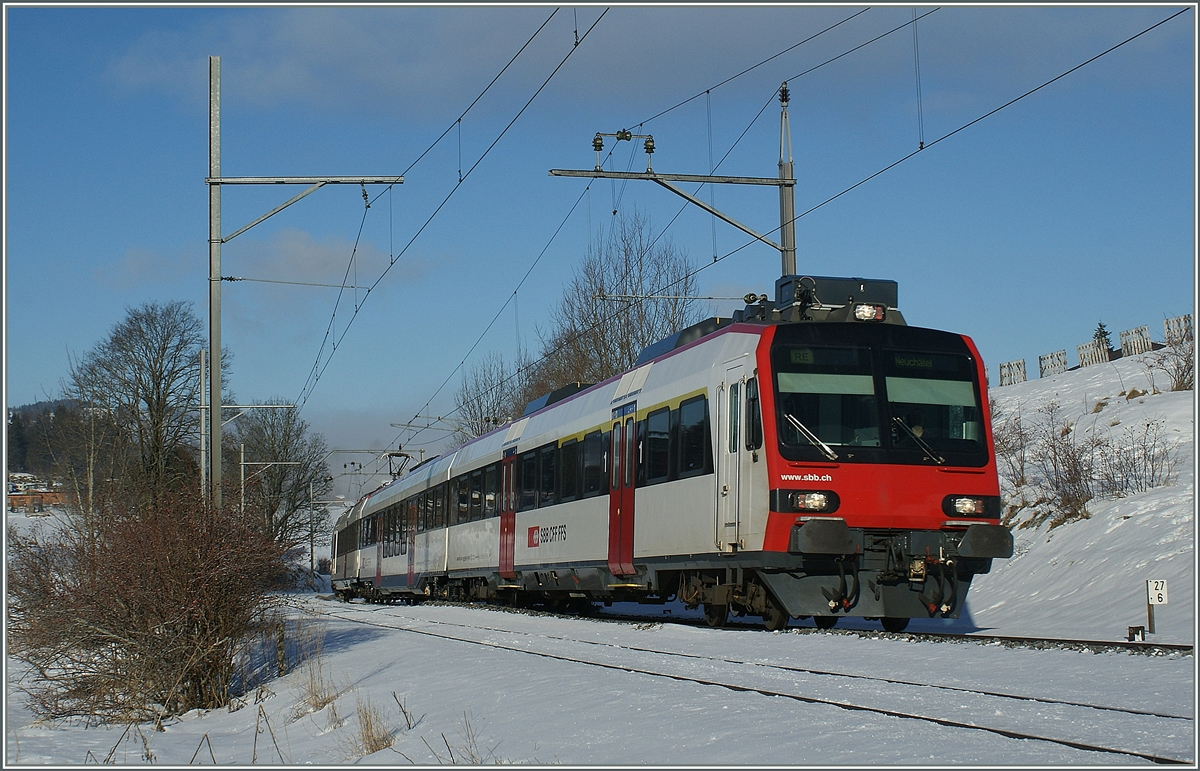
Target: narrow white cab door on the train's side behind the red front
730 411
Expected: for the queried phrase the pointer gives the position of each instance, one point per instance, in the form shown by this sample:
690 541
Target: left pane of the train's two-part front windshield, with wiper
826 399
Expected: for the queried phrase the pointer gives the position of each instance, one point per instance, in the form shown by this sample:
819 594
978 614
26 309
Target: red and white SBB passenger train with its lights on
811 458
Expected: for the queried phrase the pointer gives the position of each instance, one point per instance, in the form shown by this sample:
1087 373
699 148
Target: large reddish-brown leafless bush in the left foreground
142 613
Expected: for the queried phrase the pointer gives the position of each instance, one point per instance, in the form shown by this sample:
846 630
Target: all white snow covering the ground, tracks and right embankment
497 686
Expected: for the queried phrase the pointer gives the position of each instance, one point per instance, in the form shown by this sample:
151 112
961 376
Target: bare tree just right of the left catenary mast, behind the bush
278 497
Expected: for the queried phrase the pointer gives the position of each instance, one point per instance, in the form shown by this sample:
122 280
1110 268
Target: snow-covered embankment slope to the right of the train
1087 579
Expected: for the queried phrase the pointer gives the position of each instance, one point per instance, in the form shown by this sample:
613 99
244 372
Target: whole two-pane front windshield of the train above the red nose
878 404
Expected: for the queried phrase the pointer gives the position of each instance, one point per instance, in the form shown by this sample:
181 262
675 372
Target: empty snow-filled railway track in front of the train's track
943 706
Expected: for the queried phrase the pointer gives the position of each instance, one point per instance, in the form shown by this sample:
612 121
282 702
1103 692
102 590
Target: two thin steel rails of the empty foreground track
356 617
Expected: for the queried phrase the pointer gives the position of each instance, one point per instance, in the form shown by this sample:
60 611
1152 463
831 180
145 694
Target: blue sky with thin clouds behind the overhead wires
1073 206
